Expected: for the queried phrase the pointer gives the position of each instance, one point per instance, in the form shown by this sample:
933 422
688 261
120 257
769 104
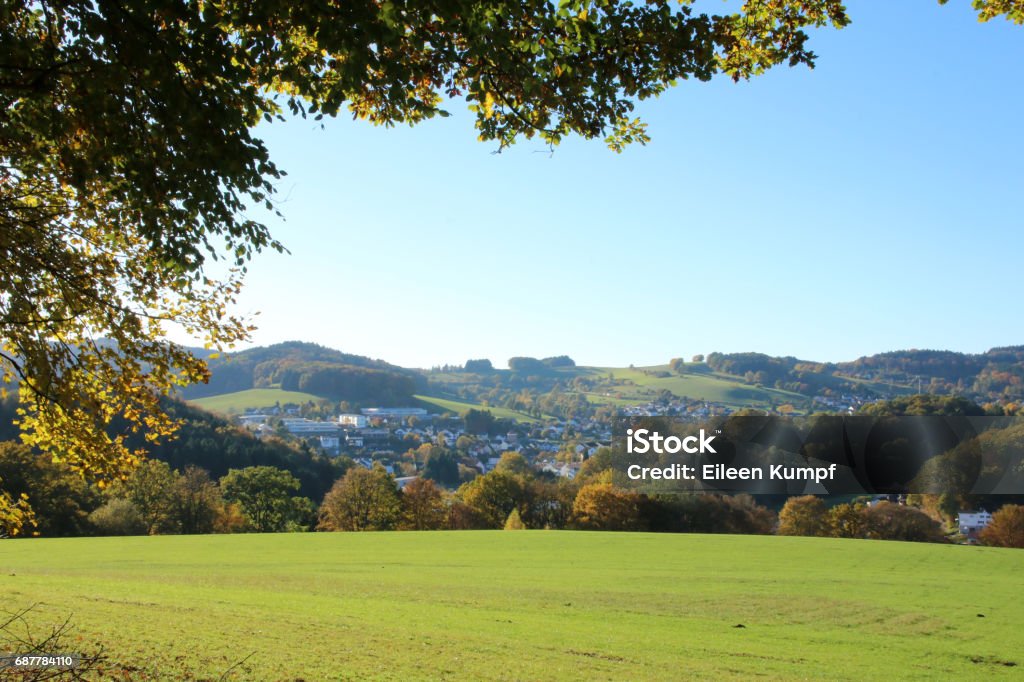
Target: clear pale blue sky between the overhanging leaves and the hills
873 204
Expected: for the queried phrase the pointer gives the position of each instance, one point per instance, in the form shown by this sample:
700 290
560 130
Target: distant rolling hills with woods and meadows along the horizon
298 373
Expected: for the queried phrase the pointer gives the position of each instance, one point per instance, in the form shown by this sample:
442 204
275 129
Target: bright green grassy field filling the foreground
531 606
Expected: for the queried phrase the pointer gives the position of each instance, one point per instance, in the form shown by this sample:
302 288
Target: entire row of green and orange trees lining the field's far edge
158 499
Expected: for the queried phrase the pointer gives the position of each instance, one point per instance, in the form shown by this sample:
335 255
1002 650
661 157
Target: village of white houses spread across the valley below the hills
401 439
